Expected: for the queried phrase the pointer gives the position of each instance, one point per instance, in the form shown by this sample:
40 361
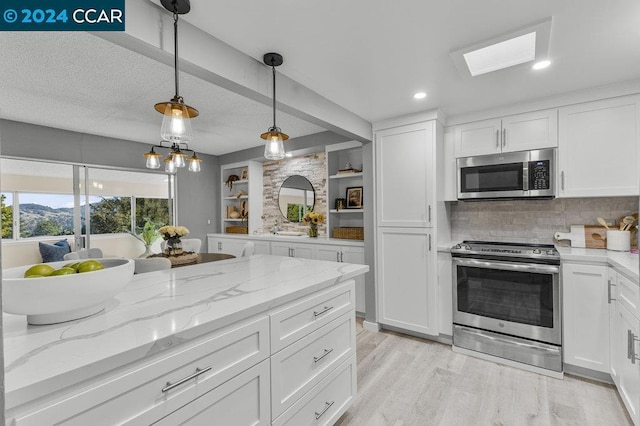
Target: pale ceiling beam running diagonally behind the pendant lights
148 32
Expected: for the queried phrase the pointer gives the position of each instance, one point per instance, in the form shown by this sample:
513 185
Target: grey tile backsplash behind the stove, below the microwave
534 221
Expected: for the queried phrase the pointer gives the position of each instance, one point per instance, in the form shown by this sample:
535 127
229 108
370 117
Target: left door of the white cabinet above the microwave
478 138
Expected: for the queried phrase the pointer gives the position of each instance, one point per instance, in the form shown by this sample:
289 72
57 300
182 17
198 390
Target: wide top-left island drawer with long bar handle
135 396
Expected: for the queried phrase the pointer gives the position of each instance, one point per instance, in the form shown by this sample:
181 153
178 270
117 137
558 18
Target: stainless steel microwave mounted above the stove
524 174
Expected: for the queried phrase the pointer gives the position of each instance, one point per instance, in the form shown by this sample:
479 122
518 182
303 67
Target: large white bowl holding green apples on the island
50 300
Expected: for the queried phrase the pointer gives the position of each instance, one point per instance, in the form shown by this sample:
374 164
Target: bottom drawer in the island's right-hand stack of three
326 402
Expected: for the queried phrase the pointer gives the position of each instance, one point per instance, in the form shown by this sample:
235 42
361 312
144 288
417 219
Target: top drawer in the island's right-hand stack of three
300 318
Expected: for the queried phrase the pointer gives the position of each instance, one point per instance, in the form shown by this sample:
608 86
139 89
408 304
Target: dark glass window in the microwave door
503 177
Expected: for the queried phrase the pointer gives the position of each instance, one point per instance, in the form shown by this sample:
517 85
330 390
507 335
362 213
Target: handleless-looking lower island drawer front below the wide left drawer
243 400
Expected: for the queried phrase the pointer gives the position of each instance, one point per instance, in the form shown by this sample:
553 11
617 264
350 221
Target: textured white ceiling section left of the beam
76 81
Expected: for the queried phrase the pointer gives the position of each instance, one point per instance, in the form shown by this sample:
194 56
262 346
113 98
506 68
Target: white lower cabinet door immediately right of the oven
586 316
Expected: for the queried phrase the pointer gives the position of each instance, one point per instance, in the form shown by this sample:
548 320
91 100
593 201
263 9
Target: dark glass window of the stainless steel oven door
520 297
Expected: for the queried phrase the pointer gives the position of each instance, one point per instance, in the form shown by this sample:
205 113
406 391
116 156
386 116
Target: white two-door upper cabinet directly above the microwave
533 130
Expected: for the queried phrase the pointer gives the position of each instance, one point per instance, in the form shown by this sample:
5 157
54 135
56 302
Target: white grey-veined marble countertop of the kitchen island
154 312
